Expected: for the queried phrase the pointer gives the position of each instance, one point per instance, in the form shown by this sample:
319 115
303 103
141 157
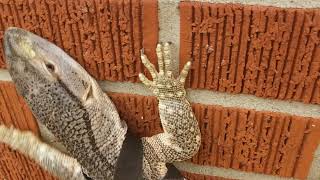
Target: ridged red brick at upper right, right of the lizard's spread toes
265 51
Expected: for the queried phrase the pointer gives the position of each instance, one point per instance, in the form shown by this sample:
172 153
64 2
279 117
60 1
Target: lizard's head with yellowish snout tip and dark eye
35 64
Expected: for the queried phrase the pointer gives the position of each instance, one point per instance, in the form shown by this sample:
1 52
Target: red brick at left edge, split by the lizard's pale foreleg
13 111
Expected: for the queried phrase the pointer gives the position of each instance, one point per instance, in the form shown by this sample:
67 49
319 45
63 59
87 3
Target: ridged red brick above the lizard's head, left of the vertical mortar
104 36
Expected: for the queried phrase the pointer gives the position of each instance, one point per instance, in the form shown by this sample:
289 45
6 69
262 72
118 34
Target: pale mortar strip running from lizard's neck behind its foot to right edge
224 99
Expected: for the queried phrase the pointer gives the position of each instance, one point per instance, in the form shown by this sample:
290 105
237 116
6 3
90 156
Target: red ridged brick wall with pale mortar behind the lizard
254 83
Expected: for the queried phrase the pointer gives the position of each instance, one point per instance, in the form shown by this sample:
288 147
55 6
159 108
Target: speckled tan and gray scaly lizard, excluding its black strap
69 104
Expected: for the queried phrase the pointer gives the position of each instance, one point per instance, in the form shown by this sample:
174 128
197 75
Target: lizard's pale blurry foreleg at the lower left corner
52 160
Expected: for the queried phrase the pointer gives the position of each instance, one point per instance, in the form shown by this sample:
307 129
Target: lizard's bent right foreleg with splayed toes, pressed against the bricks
181 137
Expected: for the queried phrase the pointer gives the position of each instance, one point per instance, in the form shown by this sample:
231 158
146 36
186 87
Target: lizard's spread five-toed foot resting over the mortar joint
164 85
